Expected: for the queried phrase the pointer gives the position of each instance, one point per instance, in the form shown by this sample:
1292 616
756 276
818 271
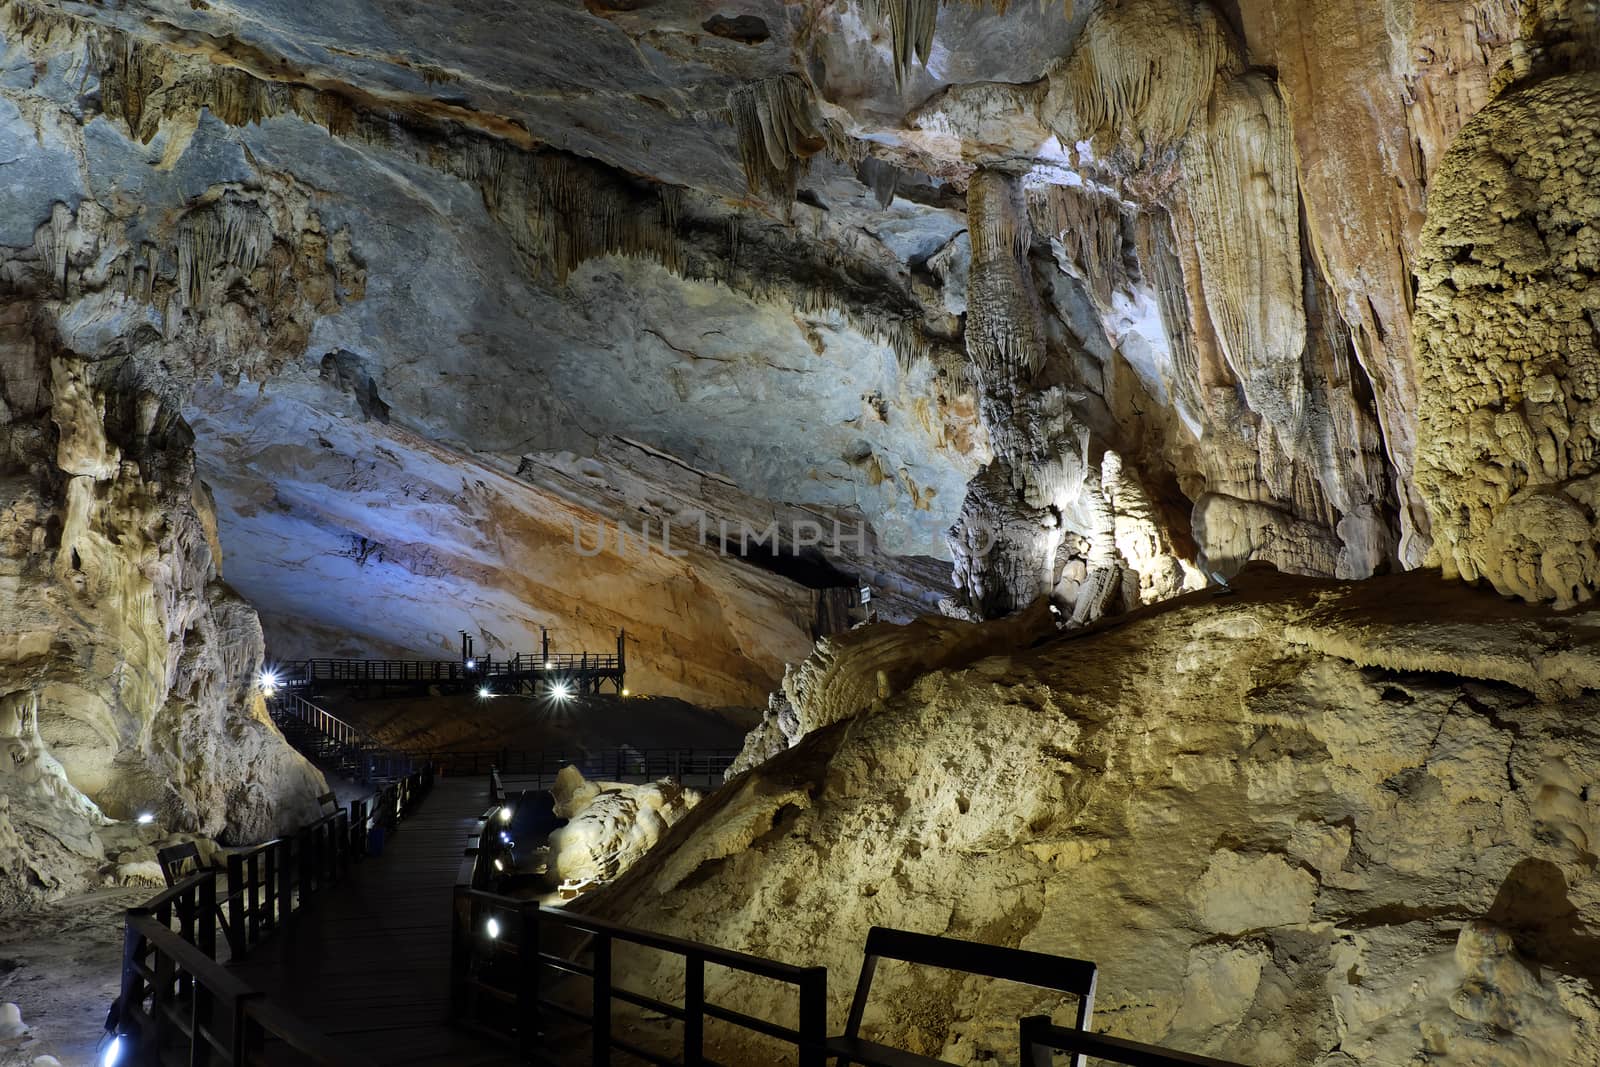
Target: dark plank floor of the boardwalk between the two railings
369 962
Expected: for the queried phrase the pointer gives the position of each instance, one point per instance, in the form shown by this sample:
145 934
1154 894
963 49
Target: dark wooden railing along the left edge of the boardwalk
177 997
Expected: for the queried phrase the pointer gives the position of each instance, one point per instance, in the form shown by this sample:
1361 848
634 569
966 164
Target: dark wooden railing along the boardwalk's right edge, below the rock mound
503 978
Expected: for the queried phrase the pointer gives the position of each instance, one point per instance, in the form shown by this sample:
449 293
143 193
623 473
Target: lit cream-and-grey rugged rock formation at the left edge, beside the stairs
137 665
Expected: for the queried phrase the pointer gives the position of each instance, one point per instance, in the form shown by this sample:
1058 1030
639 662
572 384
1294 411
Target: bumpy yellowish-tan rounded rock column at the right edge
1510 343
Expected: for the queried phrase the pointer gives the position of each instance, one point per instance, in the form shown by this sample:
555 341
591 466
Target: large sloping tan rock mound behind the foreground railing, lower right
1306 823
